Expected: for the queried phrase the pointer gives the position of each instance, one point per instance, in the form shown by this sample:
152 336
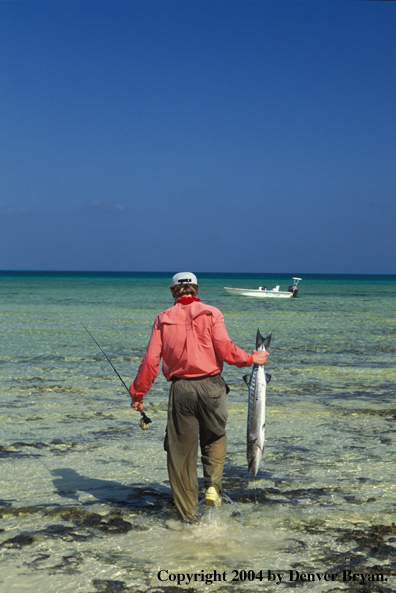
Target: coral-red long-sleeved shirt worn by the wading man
192 341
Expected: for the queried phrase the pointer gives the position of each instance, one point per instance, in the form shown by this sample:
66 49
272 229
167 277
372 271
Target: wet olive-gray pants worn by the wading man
197 408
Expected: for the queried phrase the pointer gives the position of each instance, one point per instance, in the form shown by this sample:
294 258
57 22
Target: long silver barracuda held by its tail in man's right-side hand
257 382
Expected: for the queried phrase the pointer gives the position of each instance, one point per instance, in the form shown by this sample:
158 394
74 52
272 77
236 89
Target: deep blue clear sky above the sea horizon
210 136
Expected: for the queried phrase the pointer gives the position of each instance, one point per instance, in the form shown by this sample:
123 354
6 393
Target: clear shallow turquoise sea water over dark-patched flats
85 502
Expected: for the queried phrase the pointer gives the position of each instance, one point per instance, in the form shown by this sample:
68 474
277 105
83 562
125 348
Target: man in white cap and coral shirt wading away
193 343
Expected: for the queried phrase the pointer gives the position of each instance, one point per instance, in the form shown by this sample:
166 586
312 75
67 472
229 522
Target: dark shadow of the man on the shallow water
70 483
